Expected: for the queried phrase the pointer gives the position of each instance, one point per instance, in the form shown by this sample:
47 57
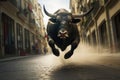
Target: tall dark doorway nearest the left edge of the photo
9 34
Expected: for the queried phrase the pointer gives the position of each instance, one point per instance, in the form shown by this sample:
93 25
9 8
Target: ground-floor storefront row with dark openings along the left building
16 38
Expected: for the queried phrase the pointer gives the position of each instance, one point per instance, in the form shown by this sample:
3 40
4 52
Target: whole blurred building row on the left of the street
21 28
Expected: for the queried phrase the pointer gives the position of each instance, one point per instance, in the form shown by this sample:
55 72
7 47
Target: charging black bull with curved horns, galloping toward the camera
62 31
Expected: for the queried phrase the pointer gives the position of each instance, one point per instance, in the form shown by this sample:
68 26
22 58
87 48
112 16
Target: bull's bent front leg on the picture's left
52 45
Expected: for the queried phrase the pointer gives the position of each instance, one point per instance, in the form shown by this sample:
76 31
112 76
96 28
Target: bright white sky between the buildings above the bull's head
52 6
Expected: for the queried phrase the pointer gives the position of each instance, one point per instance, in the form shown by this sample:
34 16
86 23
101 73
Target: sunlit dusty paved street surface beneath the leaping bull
81 66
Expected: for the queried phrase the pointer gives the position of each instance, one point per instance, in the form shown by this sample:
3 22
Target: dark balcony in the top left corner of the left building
10 5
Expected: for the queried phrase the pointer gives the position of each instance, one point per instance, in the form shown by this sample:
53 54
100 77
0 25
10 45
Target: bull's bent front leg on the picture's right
73 47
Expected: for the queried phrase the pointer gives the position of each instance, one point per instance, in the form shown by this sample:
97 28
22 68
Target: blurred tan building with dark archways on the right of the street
100 28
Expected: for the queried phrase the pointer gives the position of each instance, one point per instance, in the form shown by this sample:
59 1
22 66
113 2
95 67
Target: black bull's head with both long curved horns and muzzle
64 19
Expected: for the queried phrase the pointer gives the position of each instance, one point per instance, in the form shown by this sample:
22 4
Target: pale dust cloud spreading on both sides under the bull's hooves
83 55
